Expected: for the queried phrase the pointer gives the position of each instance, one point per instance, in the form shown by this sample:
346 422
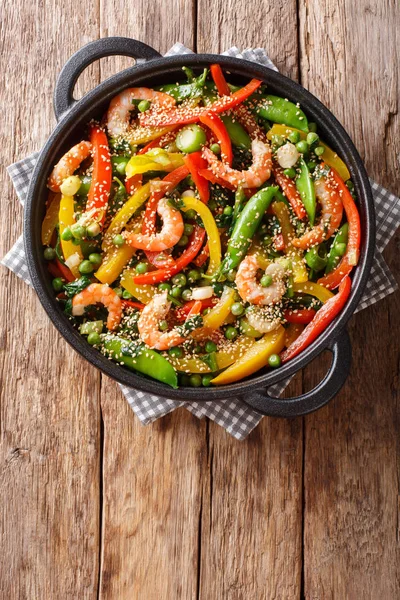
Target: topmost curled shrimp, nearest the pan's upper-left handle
121 106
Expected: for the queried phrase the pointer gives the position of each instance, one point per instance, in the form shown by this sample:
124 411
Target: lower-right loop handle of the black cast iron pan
316 398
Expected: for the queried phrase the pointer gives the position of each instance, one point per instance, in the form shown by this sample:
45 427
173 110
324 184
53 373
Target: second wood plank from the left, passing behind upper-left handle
153 476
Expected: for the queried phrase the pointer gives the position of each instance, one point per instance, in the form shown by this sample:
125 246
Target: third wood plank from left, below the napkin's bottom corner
251 533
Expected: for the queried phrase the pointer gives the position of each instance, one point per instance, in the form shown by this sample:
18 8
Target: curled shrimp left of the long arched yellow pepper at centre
170 234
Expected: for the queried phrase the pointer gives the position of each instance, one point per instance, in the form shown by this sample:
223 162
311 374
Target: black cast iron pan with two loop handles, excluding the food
72 118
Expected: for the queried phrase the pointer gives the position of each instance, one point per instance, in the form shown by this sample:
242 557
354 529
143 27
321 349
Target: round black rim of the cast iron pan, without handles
310 104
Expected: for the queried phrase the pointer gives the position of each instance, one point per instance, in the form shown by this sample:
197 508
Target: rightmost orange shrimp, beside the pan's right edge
331 215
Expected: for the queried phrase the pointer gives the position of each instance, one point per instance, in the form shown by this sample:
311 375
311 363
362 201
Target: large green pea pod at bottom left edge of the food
145 361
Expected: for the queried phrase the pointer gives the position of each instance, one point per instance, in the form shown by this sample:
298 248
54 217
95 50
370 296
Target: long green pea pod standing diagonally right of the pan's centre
246 226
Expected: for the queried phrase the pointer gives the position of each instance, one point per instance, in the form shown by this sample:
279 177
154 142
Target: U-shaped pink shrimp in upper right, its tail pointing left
255 176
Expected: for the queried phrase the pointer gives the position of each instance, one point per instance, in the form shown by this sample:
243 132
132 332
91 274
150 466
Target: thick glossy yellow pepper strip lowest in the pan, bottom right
254 359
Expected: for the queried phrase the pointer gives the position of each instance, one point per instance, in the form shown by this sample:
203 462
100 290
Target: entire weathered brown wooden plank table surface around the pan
93 504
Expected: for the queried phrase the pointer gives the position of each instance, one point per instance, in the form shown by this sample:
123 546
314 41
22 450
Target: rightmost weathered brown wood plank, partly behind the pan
351 459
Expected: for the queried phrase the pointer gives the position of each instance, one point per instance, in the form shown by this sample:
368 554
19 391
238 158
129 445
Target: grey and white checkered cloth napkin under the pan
233 415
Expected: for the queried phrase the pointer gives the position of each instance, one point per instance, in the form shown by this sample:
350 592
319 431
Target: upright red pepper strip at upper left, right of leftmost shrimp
100 187
